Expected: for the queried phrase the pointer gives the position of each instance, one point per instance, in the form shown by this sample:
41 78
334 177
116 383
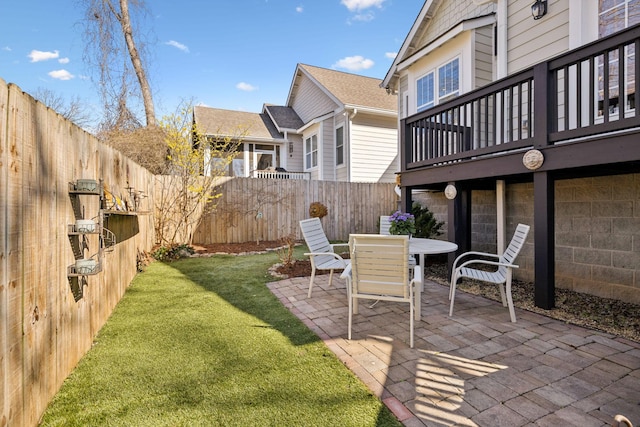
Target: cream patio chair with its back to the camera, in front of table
379 271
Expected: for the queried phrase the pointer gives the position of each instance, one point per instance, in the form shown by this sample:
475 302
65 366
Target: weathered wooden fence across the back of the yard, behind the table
253 209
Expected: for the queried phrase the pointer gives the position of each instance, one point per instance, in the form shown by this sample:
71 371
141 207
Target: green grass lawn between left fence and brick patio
203 342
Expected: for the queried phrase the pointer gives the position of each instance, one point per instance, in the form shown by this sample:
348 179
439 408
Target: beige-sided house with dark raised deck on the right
525 112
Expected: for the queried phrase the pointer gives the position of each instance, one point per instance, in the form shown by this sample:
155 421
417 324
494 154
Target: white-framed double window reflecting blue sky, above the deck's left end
446 79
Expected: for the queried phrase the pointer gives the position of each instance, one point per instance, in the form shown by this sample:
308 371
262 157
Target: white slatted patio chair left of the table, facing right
322 253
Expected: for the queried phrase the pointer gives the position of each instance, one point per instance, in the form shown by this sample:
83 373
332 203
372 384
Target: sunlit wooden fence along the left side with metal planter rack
48 315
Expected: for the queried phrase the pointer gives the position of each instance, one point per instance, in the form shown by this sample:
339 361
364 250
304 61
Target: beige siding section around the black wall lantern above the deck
533 41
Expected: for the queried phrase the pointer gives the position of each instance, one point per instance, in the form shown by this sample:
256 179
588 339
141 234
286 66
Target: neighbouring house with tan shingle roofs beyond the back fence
335 126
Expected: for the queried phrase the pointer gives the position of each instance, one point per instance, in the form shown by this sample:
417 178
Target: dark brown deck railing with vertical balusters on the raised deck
585 92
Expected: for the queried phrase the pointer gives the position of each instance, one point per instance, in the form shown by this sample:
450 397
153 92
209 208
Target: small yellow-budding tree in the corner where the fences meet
186 194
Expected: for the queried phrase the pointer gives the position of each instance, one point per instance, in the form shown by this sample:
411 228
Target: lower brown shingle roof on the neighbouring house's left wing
215 121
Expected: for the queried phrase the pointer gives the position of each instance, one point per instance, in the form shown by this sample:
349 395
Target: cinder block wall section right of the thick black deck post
598 236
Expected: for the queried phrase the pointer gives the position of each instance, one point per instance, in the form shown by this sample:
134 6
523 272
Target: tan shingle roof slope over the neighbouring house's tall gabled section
352 89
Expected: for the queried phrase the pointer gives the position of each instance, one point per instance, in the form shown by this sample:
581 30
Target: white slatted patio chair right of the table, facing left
501 275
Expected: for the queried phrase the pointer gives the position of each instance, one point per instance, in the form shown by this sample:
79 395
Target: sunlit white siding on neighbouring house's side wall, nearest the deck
370 143
